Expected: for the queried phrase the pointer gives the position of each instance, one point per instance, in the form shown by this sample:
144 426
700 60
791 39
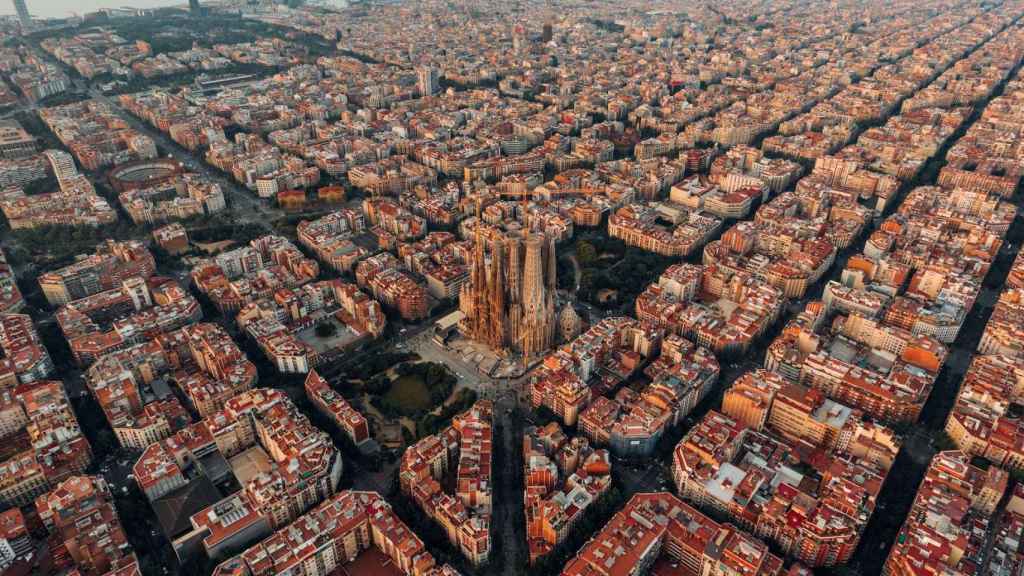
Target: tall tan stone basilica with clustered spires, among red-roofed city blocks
509 301
